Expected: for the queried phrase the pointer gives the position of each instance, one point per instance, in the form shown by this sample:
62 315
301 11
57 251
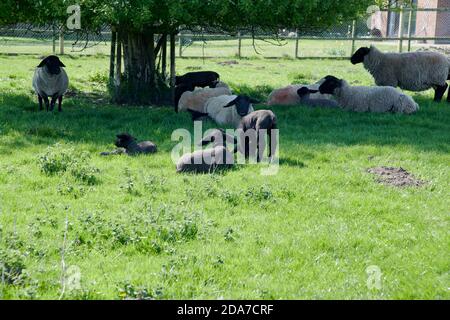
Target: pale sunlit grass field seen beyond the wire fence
212 48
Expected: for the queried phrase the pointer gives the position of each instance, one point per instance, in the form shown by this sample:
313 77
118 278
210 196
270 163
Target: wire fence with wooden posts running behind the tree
397 29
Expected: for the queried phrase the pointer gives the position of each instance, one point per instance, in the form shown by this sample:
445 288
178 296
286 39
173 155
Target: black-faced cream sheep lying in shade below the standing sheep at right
371 99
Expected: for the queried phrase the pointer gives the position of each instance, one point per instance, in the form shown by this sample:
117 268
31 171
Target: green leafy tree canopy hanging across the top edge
171 15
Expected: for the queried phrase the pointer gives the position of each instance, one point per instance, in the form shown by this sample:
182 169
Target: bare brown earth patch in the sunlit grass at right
397 177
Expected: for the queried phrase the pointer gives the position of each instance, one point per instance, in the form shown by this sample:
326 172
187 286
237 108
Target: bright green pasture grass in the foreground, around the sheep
138 229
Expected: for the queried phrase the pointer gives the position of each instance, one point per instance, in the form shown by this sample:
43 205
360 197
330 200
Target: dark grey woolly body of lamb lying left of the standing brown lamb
206 161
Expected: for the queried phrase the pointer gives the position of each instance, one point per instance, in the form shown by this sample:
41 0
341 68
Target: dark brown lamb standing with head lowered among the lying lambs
253 123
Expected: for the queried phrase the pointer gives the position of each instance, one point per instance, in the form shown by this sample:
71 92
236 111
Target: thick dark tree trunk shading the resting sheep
140 83
